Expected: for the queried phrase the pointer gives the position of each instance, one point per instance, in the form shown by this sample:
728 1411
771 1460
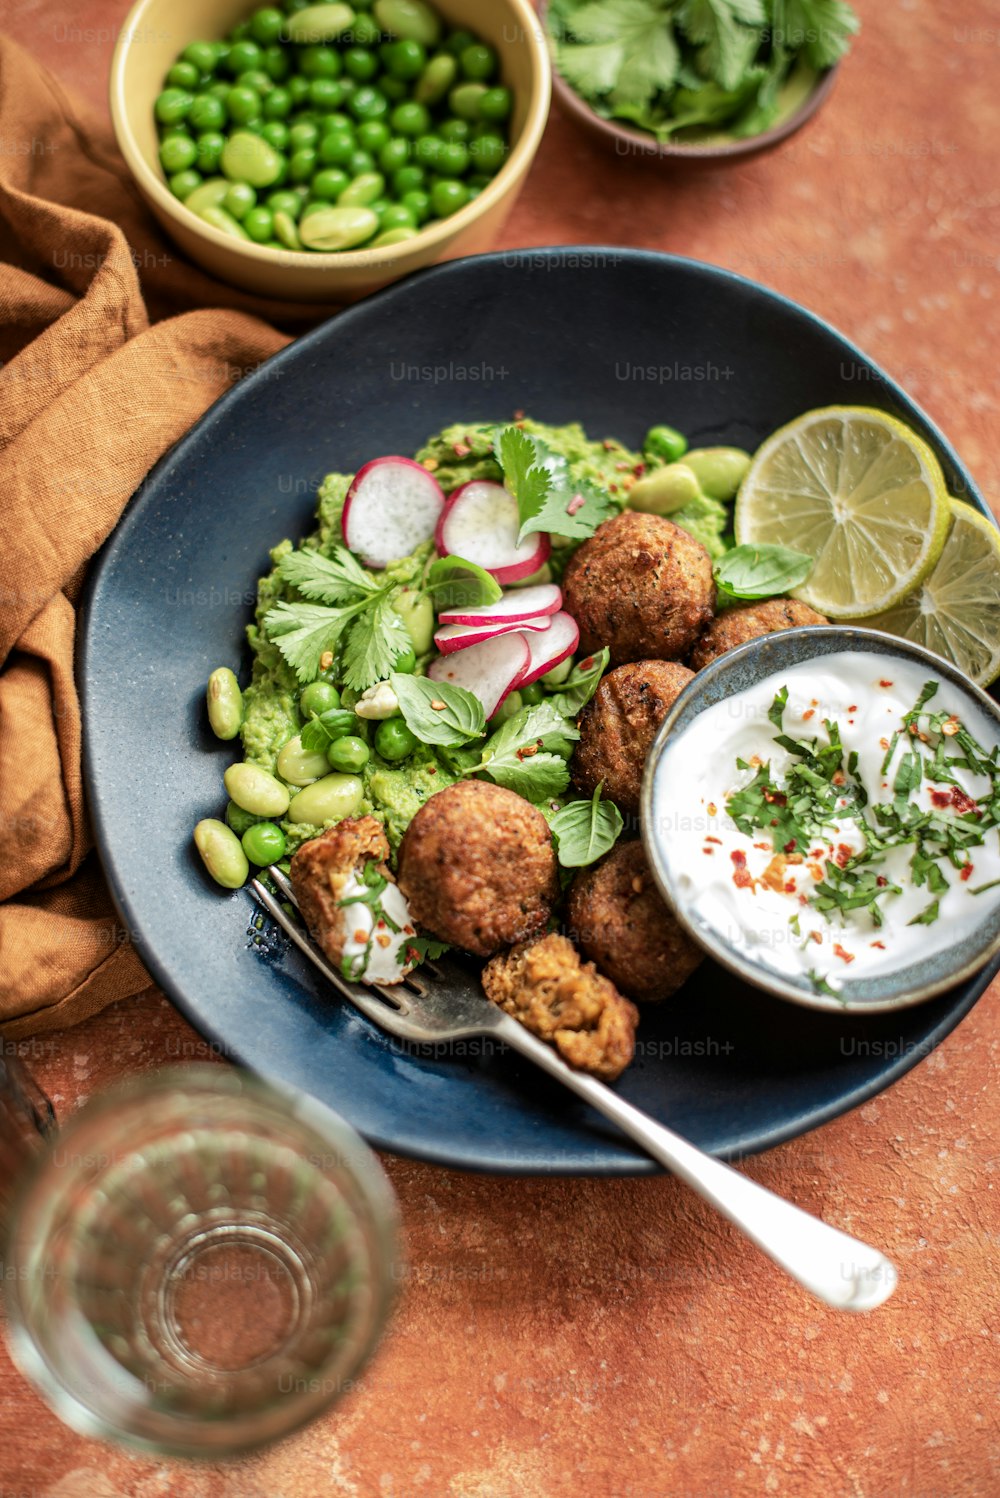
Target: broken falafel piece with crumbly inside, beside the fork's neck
552 992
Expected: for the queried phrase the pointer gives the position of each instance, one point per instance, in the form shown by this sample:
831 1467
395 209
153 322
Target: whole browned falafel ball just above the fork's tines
478 868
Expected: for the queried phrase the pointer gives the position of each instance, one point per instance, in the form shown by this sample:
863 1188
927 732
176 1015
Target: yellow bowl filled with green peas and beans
317 152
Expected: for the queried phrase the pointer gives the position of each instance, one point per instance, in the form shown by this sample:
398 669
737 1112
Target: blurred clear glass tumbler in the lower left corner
201 1262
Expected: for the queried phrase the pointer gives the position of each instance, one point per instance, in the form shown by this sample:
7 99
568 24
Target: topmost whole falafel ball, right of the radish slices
640 586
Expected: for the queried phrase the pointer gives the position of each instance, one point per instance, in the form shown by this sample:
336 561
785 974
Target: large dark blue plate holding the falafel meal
616 339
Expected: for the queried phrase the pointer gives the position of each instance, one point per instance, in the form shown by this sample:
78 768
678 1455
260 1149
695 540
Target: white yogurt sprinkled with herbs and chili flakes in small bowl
760 897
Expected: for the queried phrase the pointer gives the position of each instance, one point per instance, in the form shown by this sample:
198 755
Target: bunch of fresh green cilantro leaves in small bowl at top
695 67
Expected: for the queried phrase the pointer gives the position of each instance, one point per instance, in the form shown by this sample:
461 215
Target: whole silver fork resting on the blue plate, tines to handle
445 1003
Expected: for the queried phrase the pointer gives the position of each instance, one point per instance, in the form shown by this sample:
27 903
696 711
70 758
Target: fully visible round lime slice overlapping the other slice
859 492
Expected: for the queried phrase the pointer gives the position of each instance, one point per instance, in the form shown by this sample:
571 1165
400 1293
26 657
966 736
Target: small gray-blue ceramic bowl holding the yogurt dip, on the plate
743 669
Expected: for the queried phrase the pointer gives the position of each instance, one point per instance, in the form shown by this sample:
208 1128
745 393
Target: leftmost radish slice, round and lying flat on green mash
393 506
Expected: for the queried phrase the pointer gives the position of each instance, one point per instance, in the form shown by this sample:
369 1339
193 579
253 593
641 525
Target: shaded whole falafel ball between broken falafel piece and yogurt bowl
618 918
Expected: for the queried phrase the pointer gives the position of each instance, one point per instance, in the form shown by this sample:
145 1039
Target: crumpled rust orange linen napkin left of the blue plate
104 365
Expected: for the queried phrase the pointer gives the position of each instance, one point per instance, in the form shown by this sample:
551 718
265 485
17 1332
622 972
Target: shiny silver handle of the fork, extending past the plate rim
829 1264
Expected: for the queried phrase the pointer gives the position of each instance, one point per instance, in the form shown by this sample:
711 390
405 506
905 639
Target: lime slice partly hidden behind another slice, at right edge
956 610
